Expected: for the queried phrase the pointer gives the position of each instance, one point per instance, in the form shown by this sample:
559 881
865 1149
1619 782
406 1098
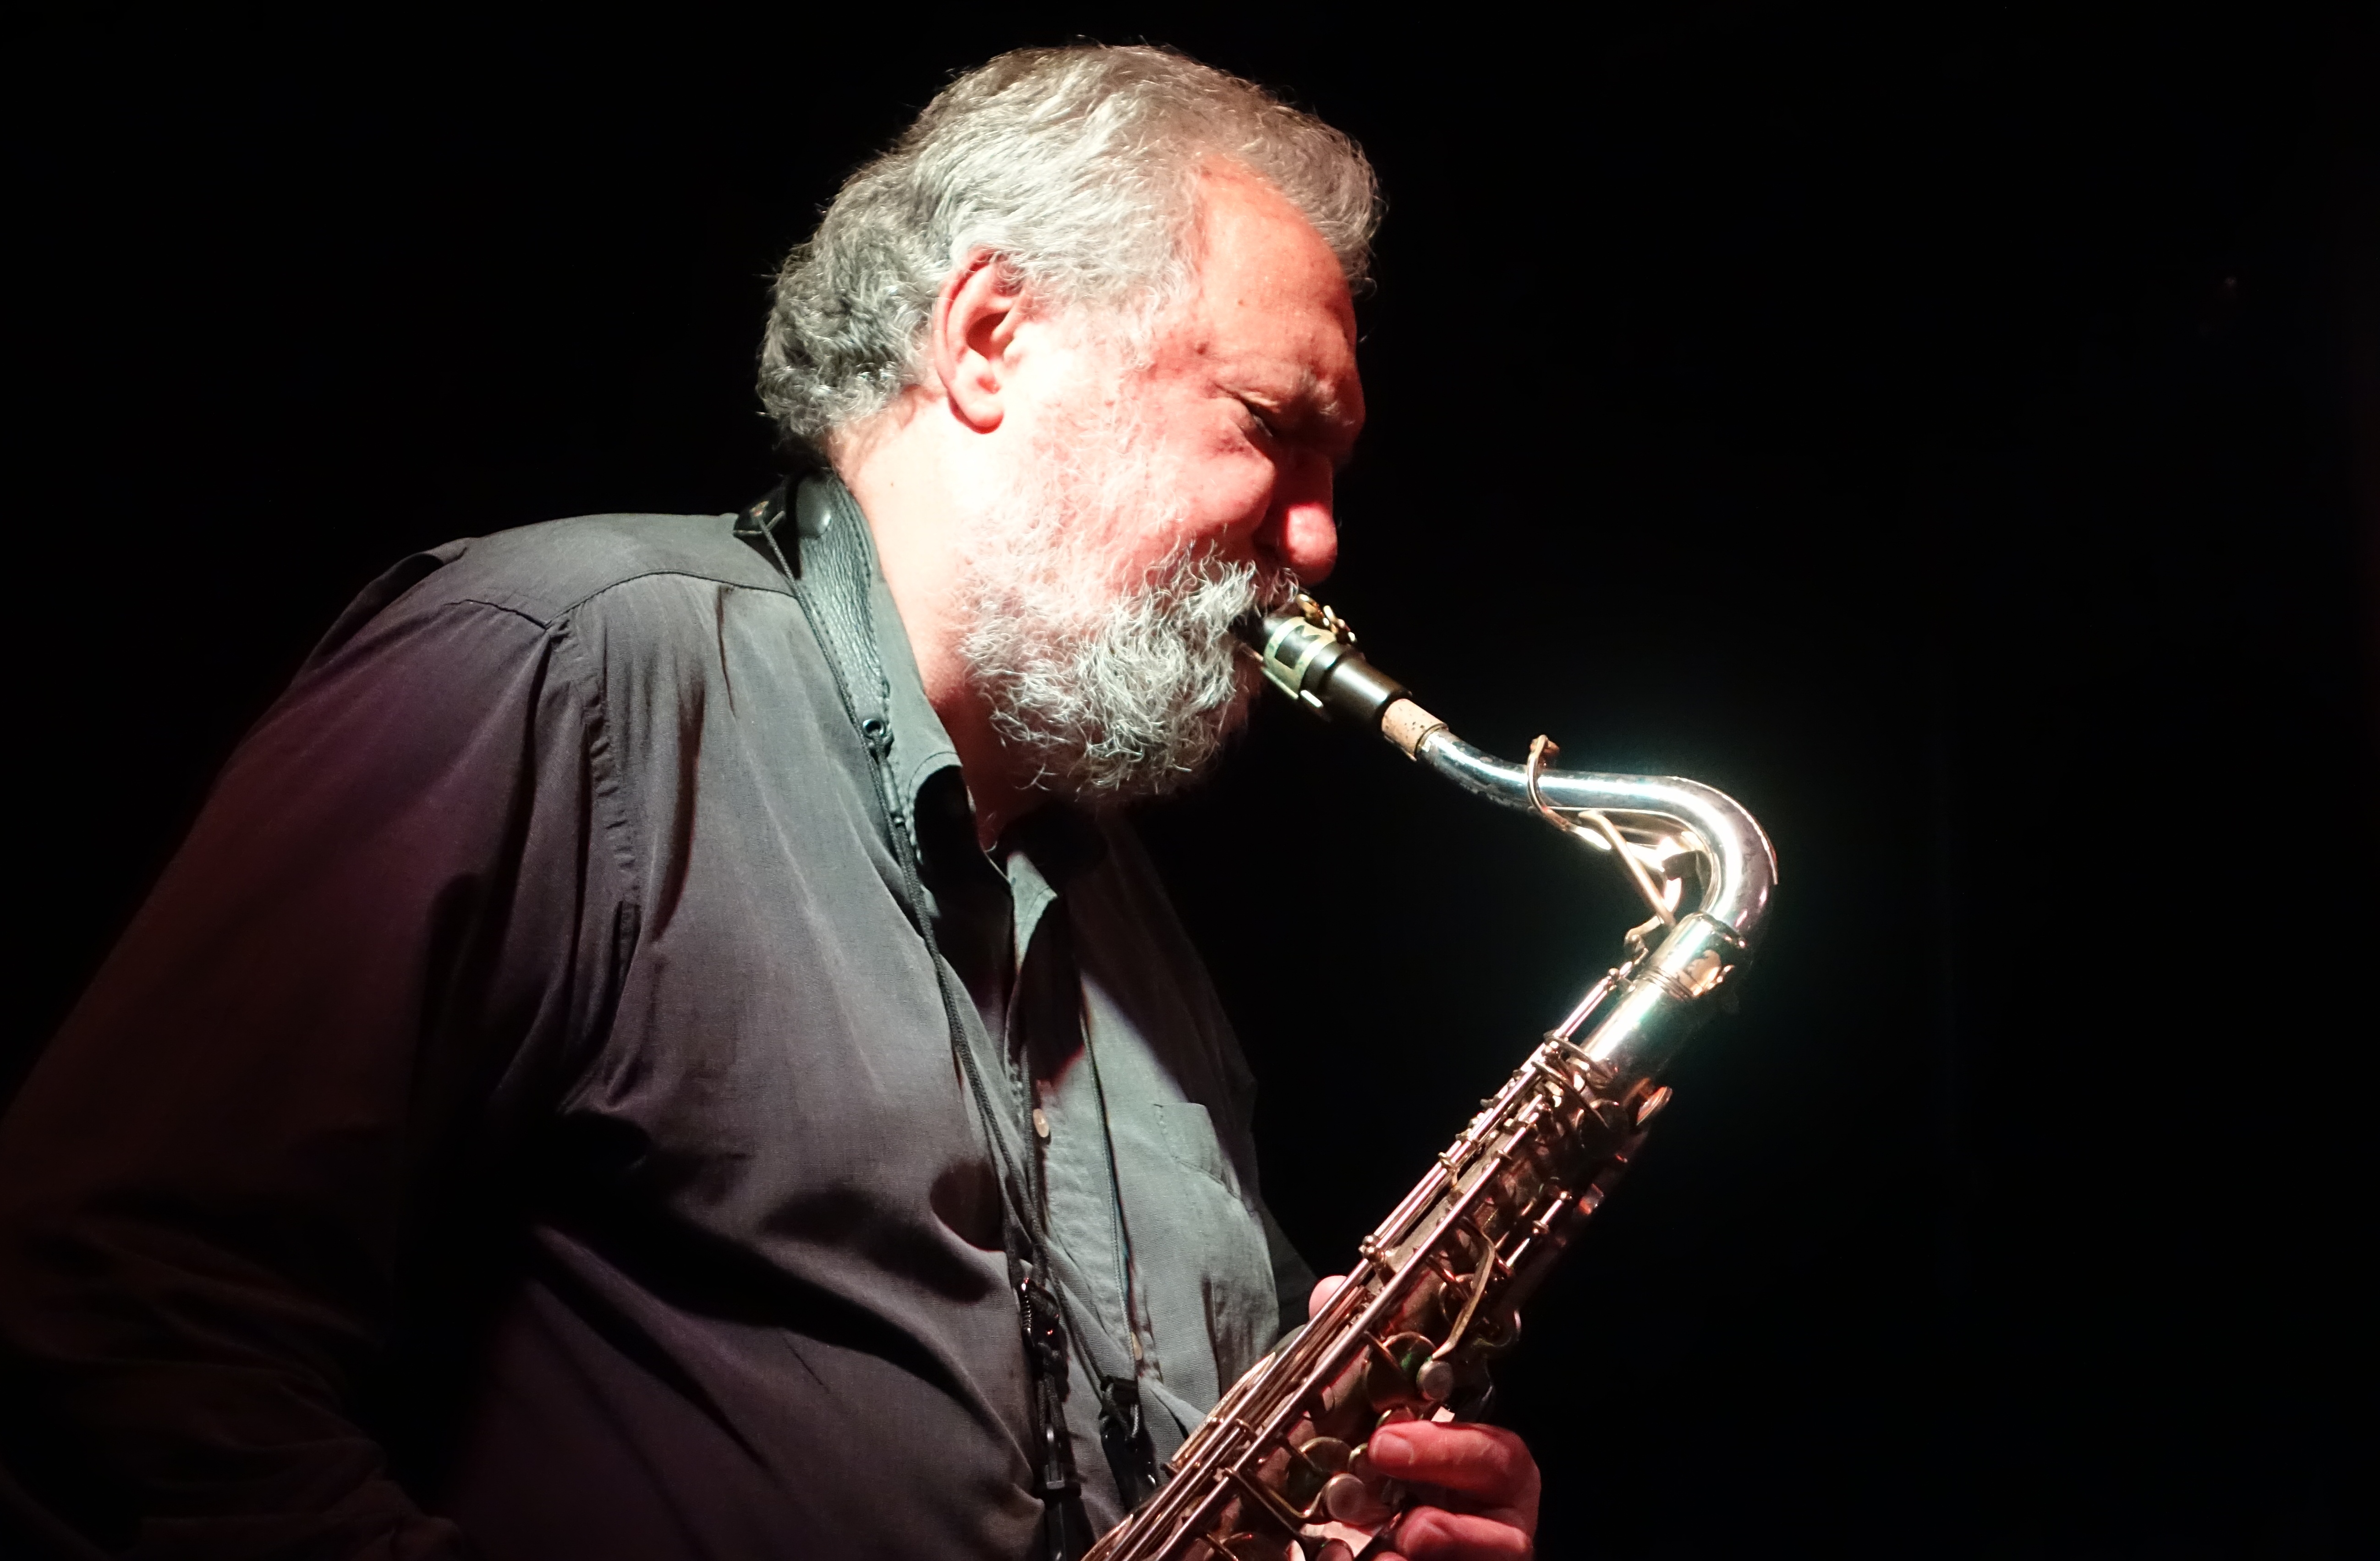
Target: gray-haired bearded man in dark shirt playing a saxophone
658 1043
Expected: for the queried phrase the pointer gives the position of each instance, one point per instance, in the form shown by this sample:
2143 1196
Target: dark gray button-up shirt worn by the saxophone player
525 1122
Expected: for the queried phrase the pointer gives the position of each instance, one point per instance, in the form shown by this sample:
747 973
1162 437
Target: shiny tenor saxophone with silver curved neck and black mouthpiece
1277 1472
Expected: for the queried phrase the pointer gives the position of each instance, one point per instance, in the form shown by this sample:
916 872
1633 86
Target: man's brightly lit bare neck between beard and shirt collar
917 522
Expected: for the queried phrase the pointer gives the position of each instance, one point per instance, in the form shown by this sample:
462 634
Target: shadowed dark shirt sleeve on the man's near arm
289 1086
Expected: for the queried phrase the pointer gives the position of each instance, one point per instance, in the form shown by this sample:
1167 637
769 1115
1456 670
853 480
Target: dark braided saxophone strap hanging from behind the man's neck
829 570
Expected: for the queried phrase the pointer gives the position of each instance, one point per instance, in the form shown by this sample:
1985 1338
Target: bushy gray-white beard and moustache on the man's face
1108 691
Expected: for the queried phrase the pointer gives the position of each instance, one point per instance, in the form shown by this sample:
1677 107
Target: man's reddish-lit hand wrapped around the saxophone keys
1477 1484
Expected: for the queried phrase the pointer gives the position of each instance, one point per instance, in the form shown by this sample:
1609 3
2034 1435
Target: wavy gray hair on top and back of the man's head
1077 168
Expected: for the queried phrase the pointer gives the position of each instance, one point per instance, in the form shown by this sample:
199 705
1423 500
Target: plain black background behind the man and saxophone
1934 427
